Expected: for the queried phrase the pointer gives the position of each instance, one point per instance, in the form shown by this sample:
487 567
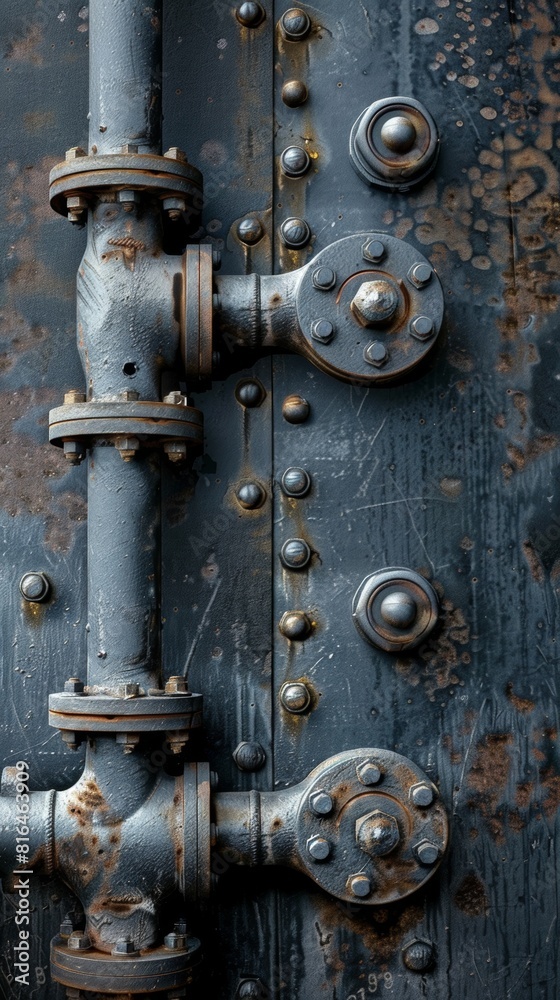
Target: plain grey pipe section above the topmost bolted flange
125 75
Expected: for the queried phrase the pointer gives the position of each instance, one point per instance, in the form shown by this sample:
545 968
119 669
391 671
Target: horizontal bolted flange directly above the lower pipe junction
106 714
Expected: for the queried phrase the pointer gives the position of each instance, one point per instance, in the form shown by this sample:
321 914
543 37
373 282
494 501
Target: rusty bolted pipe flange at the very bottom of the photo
152 970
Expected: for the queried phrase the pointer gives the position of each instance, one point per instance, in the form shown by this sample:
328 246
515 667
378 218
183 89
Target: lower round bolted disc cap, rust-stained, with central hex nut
371 828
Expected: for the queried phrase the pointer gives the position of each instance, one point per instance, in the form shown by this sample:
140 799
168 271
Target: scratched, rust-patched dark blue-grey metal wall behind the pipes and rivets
454 473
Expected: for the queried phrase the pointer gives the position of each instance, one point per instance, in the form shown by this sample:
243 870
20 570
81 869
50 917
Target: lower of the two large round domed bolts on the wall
395 609
